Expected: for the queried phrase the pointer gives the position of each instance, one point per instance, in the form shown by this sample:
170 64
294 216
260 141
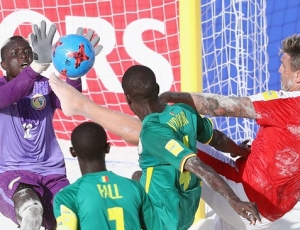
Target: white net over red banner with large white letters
144 32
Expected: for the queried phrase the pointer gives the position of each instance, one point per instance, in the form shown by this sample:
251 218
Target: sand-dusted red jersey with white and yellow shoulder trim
271 173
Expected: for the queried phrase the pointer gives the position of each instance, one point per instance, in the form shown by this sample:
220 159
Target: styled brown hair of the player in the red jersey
291 46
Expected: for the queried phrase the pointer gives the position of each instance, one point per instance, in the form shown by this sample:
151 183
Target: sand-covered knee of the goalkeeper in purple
28 207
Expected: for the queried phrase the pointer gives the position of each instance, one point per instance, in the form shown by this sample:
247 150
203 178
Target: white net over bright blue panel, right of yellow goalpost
235 55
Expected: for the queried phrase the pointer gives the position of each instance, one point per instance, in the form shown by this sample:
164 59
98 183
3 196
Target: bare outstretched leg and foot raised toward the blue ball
75 103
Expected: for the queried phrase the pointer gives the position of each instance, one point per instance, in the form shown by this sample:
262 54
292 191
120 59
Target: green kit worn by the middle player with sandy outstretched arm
167 140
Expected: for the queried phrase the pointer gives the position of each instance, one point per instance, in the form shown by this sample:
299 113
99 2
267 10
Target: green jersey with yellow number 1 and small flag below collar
104 200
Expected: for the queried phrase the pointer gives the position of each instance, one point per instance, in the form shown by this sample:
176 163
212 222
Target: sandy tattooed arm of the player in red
213 104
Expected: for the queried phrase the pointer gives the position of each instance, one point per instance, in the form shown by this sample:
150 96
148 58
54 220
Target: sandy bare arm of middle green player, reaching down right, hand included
247 210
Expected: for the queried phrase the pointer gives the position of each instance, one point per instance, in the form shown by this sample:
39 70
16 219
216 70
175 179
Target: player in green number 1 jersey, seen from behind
101 199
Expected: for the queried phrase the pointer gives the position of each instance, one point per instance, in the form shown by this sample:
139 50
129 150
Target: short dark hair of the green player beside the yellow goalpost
140 83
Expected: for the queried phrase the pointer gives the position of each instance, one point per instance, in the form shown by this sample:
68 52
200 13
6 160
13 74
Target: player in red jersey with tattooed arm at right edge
270 174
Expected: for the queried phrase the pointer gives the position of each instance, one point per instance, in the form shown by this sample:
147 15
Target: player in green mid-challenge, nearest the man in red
171 171
